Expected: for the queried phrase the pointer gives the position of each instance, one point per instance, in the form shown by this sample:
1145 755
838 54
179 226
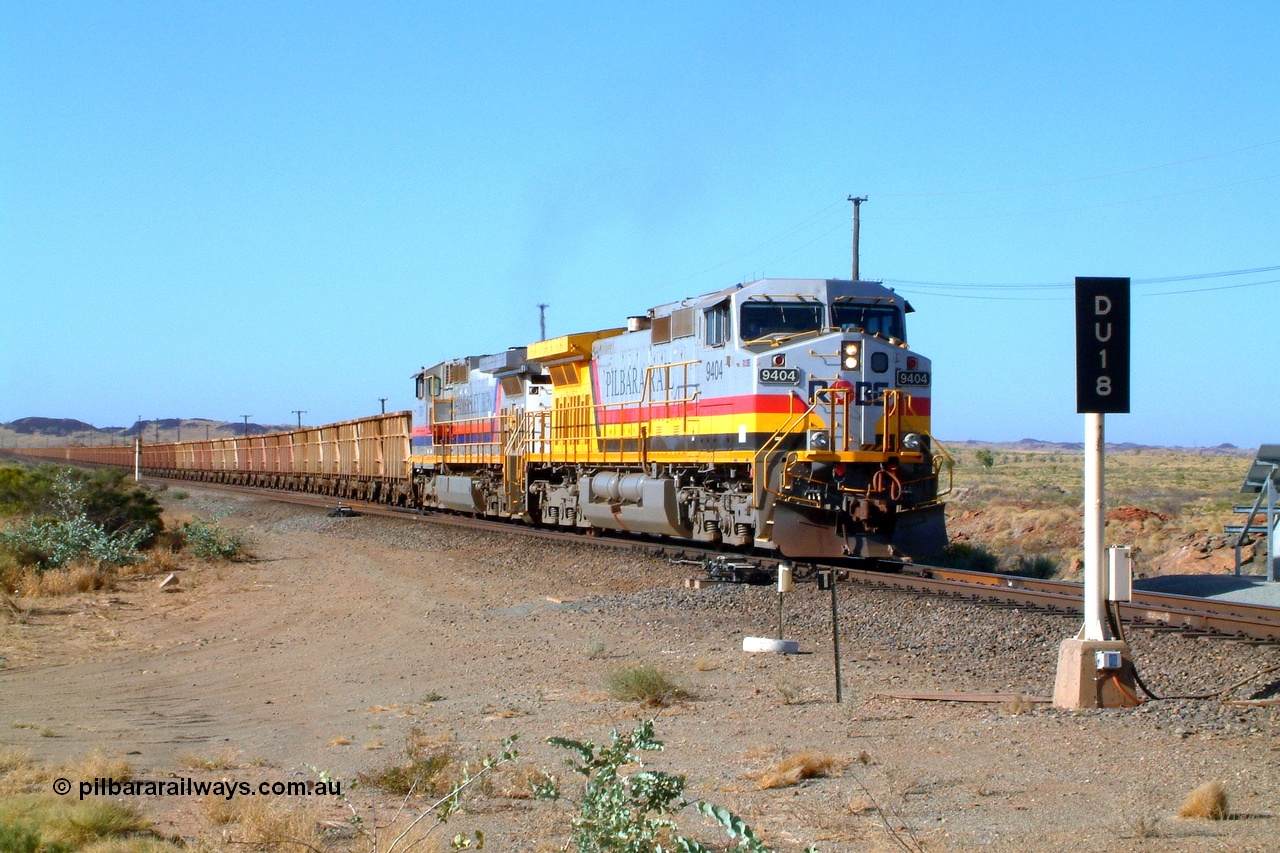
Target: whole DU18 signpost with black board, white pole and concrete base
1095 668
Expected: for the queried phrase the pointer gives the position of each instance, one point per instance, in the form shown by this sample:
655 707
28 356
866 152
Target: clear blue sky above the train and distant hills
217 209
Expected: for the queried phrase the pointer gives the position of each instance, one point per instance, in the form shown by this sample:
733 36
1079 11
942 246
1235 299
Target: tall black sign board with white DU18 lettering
1103 345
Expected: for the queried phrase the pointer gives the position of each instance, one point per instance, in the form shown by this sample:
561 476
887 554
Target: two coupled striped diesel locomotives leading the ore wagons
788 416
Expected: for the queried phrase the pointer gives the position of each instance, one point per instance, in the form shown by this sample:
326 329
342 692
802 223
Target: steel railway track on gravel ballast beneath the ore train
1163 612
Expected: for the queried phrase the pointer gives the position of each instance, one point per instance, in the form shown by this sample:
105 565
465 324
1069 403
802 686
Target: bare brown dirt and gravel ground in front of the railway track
344 636
